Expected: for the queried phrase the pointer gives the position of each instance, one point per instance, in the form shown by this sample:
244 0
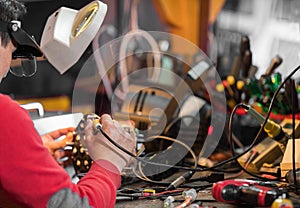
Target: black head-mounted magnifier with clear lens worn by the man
26 49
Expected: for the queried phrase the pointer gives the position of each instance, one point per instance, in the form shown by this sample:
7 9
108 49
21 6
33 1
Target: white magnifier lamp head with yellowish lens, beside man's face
68 33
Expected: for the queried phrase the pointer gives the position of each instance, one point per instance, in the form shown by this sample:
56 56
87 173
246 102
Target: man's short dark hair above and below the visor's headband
10 10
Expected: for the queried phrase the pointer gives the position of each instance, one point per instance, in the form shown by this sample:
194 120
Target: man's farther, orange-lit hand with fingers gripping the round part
54 145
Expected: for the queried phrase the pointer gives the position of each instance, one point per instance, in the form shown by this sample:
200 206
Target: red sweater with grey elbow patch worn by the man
30 177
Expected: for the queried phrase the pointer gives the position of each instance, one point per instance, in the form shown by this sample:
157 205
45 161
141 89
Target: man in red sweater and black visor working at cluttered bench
29 175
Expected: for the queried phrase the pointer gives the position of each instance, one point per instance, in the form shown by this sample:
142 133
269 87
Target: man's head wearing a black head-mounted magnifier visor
15 42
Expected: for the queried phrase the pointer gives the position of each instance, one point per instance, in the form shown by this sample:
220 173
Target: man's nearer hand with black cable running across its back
100 148
